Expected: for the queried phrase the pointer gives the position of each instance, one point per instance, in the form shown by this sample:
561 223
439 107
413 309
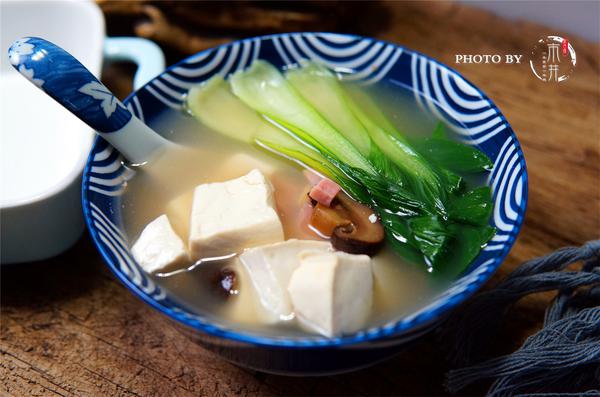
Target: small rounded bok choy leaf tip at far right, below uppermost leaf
474 207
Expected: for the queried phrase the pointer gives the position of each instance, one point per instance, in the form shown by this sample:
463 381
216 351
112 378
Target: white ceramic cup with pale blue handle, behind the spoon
43 147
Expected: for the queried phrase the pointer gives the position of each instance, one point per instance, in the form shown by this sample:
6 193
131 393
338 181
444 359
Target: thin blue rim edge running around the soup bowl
395 330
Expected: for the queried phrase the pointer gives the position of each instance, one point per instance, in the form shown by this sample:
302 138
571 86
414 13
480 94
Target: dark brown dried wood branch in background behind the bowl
189 27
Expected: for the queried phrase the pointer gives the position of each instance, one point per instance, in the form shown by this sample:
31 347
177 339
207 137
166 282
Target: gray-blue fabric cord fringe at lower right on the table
563 357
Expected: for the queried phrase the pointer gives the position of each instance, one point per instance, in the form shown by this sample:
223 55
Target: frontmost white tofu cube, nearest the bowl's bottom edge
332 292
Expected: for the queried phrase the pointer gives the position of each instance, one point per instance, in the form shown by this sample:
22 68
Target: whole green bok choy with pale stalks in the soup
415 187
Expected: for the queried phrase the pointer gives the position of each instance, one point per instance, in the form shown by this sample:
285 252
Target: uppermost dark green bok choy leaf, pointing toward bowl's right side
454 156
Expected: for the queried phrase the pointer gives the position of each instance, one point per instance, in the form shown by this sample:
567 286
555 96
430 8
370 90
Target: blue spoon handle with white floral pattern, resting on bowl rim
65 79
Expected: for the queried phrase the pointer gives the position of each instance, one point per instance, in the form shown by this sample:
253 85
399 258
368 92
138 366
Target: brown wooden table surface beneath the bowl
69 328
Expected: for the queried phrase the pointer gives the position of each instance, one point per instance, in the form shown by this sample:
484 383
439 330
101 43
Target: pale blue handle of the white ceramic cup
146 54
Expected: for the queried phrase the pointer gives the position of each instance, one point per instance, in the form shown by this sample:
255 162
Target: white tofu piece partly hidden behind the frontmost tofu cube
270 268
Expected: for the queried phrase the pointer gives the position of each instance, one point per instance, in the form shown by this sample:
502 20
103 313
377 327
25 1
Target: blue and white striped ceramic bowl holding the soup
436 89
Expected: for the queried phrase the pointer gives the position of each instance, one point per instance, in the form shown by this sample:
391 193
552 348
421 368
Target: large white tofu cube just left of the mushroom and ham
230 216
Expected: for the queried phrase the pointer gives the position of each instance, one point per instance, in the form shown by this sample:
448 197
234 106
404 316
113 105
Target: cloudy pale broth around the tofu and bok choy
400 285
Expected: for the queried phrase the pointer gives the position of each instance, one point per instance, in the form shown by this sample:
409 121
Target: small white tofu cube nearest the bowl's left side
159 248
